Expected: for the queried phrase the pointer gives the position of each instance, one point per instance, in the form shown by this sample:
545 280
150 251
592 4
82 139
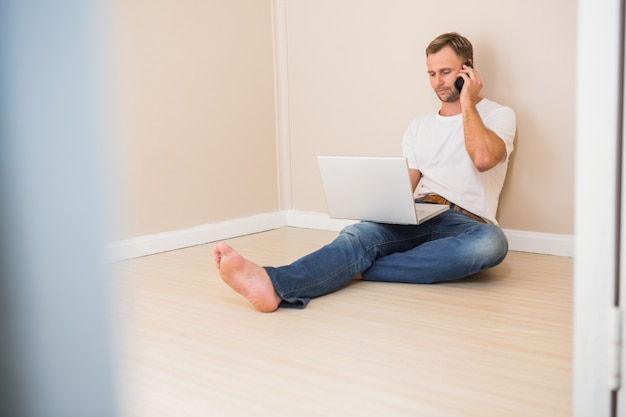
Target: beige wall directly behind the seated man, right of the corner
357 76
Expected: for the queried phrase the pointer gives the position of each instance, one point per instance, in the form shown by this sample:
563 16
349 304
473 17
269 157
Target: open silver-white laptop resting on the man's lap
376 189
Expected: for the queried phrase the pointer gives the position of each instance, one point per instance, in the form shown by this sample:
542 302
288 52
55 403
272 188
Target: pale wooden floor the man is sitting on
497 344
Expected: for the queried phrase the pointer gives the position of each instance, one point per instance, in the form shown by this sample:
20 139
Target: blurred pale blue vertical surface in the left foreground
55 328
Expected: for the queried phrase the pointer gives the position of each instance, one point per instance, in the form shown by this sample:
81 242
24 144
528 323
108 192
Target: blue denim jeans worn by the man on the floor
448 247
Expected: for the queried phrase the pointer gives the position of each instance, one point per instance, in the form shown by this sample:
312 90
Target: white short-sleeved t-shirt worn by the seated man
435 145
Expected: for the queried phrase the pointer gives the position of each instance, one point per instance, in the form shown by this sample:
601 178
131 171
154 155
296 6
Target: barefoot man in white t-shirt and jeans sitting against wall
458 156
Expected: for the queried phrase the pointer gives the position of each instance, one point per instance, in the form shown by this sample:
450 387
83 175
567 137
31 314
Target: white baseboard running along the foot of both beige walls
519 240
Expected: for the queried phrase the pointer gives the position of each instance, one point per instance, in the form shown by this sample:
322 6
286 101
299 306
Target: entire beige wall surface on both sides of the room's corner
199 100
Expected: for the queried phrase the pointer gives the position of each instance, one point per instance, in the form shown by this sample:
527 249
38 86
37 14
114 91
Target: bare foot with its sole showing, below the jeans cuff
245 277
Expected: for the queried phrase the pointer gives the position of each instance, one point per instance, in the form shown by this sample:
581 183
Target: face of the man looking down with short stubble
443 69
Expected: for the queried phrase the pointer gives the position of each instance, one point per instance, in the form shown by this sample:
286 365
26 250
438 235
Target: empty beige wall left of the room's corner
198 136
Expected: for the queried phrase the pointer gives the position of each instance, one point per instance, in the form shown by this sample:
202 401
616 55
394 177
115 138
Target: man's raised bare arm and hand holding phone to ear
485 148
